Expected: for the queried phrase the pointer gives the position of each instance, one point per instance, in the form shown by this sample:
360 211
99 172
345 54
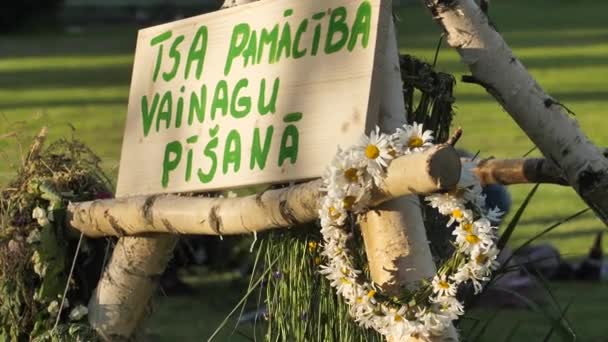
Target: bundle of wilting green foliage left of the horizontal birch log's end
36 252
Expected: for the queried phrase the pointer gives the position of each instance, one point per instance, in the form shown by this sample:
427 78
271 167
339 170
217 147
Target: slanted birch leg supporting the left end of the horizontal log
131 277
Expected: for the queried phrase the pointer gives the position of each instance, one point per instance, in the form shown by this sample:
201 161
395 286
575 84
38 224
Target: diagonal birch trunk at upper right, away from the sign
494 66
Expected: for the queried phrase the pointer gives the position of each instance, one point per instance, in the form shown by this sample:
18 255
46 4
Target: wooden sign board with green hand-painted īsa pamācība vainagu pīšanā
260 93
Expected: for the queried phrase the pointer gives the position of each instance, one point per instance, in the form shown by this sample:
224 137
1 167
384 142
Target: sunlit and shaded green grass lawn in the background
81 81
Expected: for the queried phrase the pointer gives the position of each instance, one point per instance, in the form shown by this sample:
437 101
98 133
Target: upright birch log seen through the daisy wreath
394 235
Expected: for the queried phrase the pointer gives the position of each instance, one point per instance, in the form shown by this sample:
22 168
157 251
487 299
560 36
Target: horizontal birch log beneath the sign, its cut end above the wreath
435 169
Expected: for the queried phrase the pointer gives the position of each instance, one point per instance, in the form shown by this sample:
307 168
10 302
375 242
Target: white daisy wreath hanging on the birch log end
430 309
